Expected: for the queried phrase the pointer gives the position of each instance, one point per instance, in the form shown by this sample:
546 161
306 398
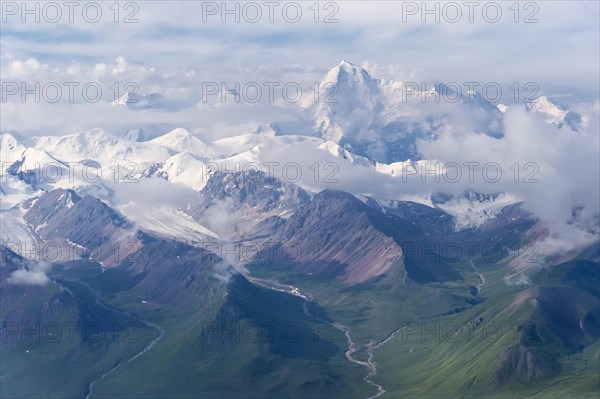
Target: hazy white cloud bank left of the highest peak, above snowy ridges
181 89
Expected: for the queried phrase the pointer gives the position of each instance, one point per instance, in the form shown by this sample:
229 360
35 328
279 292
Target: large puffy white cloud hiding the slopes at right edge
566 164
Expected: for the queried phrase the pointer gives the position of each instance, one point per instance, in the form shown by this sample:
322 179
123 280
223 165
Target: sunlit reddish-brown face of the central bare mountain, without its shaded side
335 234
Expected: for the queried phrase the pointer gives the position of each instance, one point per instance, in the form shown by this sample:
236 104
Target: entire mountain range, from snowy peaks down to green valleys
306 259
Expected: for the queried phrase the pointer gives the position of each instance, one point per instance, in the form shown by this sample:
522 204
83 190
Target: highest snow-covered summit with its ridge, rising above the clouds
382 119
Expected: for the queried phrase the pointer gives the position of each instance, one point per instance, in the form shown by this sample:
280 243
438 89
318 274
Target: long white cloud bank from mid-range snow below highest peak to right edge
554 172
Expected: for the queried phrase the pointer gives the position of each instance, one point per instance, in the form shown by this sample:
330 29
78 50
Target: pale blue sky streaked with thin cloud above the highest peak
553 41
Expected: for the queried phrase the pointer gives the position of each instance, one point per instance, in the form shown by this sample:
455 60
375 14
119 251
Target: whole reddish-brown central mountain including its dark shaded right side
338 235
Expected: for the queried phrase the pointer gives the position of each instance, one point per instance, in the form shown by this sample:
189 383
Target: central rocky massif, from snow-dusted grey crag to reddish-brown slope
333 233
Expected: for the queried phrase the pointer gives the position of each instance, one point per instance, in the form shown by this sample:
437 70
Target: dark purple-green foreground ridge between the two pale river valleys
222 334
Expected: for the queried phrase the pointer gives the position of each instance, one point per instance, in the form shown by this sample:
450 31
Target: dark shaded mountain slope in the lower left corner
57 337
